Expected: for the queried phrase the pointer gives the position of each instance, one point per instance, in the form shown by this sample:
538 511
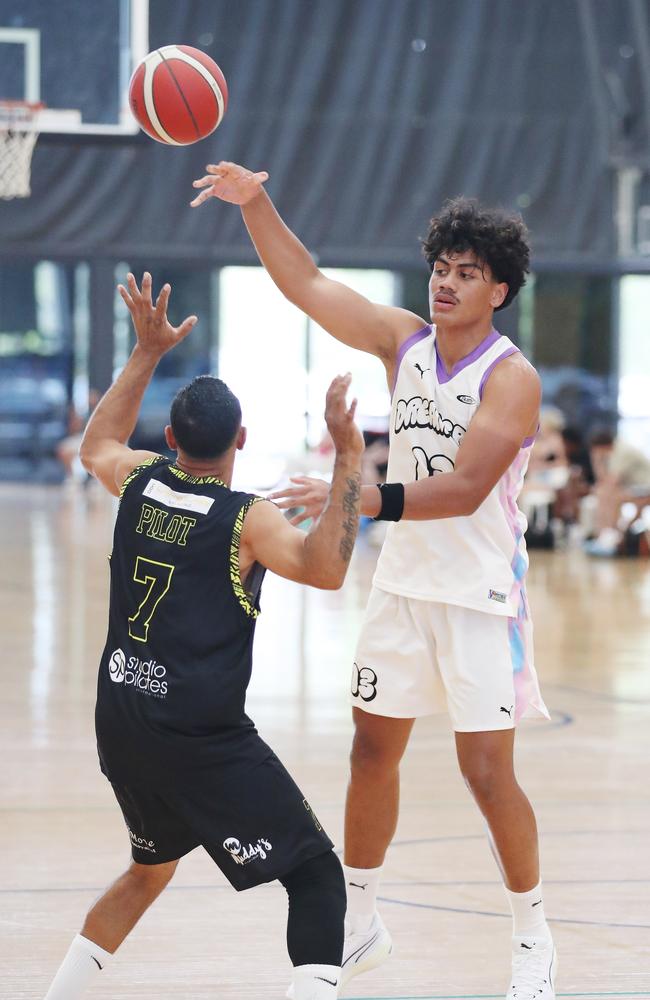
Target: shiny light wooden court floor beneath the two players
62 838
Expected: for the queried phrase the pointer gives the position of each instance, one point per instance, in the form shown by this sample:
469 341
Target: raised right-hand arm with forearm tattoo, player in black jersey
321 557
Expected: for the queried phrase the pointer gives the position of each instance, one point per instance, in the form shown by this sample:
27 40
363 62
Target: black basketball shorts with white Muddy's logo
257 826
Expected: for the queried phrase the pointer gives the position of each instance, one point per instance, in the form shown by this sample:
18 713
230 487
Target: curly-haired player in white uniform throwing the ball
447 624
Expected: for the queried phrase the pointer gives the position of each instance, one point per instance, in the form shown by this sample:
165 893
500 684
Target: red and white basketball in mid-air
178 95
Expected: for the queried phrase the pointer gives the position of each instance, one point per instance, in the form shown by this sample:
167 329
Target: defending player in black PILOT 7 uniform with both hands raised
186 763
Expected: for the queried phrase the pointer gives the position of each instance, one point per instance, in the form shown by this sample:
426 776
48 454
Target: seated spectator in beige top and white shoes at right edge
622 475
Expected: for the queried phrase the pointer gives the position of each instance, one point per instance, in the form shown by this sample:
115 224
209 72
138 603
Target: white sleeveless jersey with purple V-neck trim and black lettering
478 561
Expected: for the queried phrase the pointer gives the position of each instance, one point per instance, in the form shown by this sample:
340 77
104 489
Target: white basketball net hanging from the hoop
18 136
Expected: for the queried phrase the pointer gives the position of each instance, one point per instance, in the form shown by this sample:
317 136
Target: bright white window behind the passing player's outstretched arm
280 364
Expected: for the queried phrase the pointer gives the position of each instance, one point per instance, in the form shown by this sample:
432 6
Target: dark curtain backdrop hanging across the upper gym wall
367 115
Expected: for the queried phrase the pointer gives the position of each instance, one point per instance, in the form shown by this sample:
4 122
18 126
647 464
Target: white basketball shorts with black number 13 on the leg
417 657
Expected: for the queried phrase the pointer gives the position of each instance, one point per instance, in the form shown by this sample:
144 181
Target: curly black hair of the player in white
498 240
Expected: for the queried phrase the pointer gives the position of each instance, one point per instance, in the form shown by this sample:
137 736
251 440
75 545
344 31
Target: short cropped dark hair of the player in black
205 417
